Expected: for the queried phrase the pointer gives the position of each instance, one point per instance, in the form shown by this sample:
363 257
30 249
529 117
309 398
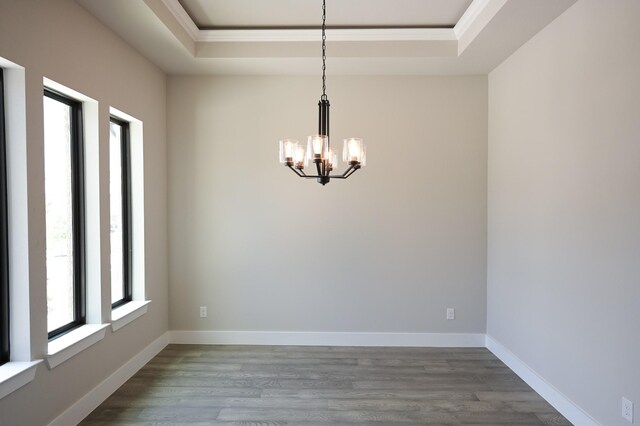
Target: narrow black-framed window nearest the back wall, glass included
120 222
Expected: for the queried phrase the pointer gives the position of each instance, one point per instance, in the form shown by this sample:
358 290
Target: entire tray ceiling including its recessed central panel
369 37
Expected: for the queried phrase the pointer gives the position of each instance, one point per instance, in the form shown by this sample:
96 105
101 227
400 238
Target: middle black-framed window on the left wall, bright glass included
64 198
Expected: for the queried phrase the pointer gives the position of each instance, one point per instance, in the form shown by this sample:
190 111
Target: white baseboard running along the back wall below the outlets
327 339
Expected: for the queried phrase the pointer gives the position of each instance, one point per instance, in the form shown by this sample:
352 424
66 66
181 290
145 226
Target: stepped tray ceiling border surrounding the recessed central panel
486 33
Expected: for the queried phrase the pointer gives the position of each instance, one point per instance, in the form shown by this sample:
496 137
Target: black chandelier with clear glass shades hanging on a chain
319 151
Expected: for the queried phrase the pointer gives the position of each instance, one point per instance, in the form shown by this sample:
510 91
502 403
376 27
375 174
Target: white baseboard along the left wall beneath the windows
83 407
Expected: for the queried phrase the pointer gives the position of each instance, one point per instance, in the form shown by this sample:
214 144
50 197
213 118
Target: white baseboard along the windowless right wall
553 396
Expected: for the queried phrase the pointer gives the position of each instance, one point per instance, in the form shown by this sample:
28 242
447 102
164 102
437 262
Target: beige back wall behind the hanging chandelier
385 251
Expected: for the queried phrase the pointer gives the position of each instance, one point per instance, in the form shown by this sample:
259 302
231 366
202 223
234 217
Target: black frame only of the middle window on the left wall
78 213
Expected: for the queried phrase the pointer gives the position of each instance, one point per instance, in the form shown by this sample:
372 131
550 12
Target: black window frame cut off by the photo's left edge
5 346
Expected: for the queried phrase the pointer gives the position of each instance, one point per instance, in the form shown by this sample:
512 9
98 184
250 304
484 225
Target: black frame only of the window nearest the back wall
127 235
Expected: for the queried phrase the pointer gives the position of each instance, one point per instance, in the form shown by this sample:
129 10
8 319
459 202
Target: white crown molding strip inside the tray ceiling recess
479 11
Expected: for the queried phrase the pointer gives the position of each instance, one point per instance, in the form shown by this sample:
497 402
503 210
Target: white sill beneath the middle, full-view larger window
74 342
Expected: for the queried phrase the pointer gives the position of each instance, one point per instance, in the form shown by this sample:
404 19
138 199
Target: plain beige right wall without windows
564 205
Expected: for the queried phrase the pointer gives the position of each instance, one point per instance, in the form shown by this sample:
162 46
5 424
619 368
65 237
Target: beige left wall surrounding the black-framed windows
61 41
